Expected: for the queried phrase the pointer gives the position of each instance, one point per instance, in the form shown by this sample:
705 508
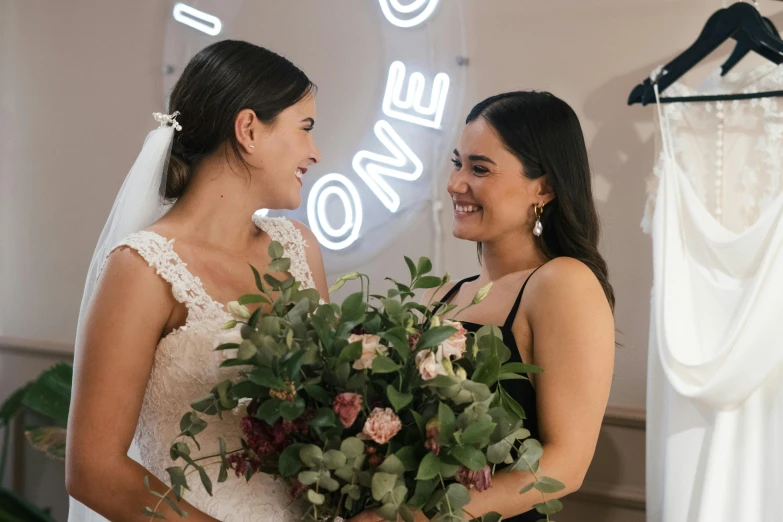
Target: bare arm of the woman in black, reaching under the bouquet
572 328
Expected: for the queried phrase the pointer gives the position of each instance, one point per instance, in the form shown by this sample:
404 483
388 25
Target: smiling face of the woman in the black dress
490 194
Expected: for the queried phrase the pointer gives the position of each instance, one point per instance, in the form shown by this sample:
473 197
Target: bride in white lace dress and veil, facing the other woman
239 140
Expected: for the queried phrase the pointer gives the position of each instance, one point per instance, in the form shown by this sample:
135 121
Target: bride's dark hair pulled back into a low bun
219 82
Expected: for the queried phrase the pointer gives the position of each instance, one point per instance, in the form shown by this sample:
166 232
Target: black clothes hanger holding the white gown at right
740 21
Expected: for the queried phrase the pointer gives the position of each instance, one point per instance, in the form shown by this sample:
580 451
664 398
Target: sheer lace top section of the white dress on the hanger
730 152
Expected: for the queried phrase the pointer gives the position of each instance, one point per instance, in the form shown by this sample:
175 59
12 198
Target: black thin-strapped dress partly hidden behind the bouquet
521 390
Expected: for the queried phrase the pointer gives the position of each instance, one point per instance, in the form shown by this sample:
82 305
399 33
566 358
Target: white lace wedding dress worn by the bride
186 368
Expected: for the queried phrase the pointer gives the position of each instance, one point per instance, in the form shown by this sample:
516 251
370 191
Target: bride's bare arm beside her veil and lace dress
114 358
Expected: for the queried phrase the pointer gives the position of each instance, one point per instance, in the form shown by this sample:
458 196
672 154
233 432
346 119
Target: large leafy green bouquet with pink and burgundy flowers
377 403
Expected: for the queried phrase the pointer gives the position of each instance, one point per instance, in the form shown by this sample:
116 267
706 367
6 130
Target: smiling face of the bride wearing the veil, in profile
283 152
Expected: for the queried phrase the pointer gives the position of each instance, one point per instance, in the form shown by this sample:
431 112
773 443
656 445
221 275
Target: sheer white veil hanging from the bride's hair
139 203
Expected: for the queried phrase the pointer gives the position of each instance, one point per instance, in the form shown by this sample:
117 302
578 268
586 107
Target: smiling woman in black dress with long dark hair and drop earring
521 190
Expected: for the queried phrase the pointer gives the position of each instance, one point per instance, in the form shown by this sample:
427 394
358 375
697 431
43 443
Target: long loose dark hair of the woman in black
544 133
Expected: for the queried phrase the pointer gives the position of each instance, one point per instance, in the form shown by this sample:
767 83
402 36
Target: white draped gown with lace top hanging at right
715 375
